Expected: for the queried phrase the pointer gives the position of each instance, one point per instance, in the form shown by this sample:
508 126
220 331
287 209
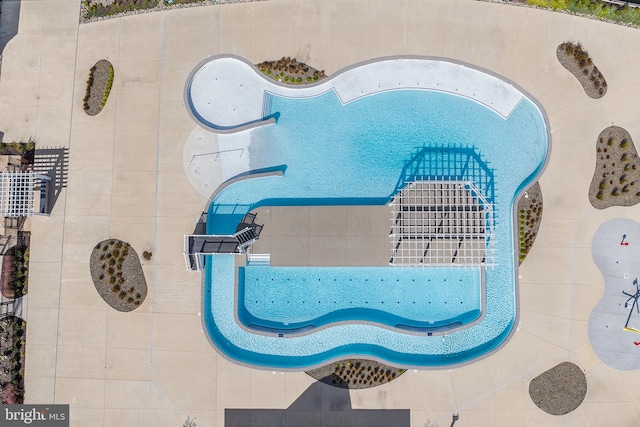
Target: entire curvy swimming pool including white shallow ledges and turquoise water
363 152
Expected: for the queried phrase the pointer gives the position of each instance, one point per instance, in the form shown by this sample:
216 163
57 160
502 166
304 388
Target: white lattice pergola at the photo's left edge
19 192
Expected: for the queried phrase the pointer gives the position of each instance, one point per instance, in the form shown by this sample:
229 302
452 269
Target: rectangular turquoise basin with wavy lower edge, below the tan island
294 300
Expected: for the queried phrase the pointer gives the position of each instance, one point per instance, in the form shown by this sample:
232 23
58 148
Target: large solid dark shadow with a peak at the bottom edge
319 406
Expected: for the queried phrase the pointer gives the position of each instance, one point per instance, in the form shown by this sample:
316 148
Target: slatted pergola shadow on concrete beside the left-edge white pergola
53 162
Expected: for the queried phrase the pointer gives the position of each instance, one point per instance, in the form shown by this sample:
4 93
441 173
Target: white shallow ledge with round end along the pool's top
228 93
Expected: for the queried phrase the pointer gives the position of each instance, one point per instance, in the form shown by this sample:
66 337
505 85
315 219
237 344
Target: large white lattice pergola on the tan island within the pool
441 222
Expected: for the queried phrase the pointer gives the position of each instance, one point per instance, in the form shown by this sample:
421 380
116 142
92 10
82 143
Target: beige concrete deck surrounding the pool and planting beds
154 367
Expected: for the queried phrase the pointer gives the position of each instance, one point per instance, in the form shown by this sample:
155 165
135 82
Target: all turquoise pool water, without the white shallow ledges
362 153
